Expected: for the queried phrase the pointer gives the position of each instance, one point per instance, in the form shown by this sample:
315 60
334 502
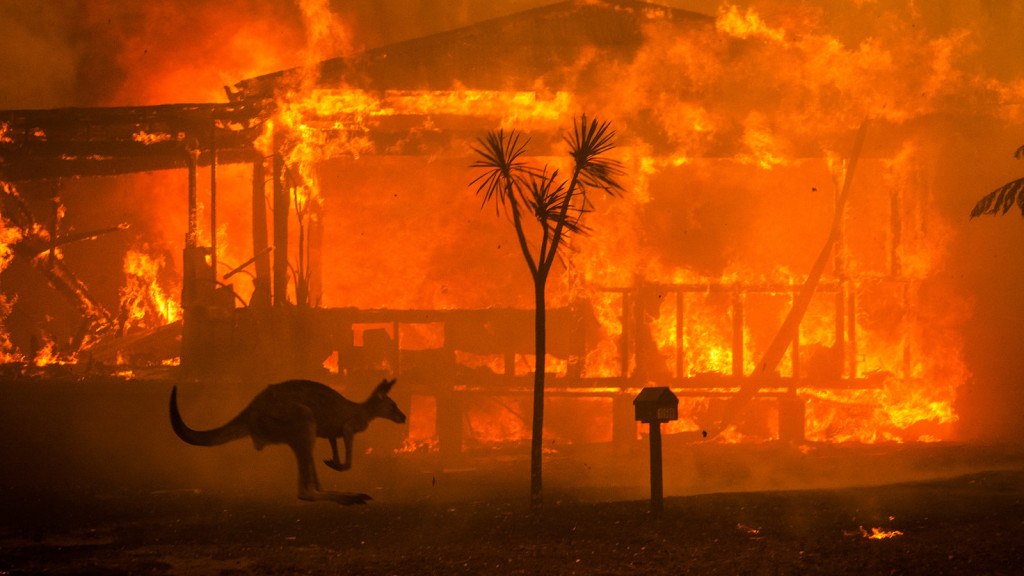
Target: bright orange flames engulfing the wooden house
737 133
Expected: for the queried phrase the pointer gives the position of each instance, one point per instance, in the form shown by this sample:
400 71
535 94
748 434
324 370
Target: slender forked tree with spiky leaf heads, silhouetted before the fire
558 205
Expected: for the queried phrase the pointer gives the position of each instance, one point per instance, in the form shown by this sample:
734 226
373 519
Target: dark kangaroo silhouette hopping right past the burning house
296 414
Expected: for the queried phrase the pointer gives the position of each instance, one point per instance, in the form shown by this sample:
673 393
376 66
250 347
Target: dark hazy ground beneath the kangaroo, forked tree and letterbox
94 482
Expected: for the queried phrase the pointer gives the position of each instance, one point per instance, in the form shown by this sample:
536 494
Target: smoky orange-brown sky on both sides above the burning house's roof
121 53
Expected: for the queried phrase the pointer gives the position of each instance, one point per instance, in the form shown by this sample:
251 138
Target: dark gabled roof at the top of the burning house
547 49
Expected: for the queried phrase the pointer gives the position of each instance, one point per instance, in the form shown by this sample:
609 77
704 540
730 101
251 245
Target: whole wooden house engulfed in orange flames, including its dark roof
320 224
